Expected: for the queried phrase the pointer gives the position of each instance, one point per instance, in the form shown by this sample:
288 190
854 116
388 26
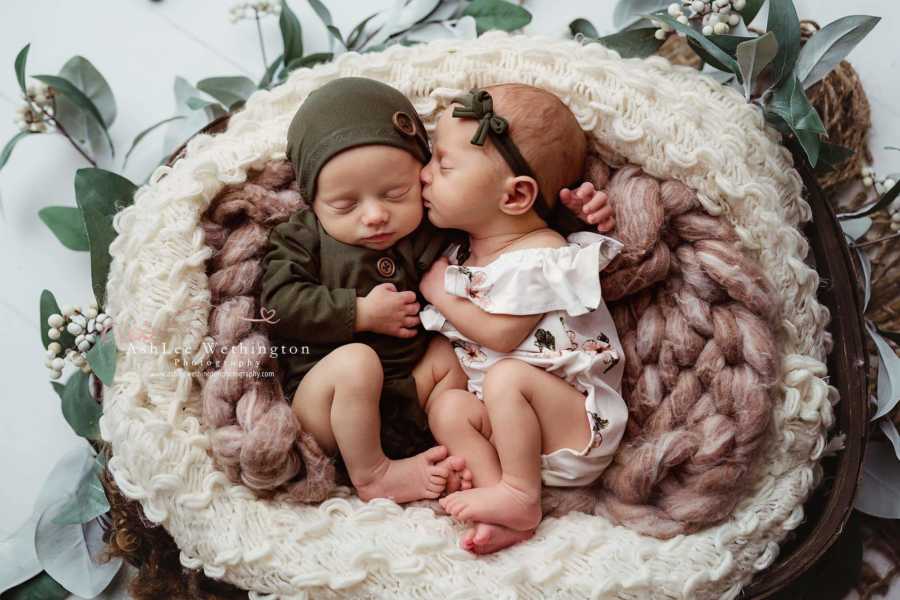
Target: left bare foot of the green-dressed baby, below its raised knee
415 478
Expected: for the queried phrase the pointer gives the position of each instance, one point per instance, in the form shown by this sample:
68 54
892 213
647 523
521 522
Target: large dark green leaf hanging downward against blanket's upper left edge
100 195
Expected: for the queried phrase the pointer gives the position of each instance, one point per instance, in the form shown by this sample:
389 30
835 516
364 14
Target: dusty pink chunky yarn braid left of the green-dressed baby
257 440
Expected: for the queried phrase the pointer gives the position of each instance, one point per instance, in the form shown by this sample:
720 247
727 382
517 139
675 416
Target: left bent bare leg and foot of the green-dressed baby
337 402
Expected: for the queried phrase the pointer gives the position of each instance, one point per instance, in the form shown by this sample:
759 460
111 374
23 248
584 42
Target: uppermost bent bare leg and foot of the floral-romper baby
530 411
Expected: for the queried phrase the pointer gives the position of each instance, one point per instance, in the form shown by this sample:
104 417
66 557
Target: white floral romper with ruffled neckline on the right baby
575 340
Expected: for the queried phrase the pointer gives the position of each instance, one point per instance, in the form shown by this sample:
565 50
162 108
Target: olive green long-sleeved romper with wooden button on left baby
312 280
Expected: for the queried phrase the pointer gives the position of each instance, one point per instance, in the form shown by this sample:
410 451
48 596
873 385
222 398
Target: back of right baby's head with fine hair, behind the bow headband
545 132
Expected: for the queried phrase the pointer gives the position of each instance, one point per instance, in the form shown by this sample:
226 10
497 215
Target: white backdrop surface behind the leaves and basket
141 47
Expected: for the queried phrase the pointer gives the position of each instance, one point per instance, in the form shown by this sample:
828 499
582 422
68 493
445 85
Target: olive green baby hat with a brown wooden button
349 112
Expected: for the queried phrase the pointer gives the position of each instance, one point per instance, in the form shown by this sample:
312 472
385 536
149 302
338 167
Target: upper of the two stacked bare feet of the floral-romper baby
501 504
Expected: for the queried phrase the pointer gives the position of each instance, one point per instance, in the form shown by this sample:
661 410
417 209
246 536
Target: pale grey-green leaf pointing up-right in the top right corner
830 45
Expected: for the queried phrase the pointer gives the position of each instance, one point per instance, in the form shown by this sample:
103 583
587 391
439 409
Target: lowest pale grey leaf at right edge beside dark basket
879 490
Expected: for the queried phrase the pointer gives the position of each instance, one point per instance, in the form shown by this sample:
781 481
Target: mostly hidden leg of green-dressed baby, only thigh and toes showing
437 372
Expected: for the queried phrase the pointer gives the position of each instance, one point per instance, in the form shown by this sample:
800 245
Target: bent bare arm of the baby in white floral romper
501 333
